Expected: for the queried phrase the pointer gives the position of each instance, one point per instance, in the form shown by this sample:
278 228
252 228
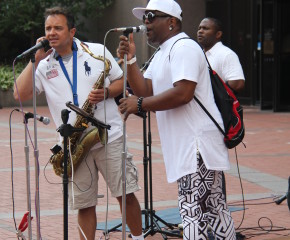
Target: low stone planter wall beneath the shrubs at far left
7 100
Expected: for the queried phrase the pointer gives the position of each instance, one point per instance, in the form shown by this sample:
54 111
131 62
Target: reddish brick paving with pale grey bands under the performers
263 164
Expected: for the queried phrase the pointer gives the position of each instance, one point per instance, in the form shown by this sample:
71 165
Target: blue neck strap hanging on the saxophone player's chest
74 85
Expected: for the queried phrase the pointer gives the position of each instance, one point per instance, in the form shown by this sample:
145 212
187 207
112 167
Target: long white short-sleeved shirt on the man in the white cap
186 129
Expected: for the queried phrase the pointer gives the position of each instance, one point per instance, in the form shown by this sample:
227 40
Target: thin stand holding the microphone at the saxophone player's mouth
36 152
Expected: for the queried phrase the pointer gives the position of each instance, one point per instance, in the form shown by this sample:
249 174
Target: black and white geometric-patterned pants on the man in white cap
202 205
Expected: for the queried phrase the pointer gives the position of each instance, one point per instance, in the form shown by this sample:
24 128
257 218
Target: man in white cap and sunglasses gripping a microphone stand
193 148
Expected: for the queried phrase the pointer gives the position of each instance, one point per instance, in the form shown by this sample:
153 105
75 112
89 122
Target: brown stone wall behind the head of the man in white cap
120 15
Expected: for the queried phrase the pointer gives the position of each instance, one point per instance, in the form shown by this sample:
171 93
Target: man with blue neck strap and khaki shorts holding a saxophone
67 73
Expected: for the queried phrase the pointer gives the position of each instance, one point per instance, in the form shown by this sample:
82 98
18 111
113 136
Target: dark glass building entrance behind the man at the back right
259 32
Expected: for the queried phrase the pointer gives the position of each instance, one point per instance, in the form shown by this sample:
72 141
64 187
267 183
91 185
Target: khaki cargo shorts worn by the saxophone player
86 177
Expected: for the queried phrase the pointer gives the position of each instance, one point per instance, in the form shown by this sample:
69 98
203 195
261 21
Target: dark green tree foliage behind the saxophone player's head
23 20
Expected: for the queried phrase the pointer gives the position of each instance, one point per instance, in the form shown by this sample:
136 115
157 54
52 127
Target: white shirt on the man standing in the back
225 62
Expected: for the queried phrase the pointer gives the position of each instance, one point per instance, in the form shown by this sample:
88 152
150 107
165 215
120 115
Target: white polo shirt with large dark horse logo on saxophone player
51 79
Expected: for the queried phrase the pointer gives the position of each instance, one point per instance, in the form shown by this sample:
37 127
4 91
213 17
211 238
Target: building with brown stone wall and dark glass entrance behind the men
257 30
